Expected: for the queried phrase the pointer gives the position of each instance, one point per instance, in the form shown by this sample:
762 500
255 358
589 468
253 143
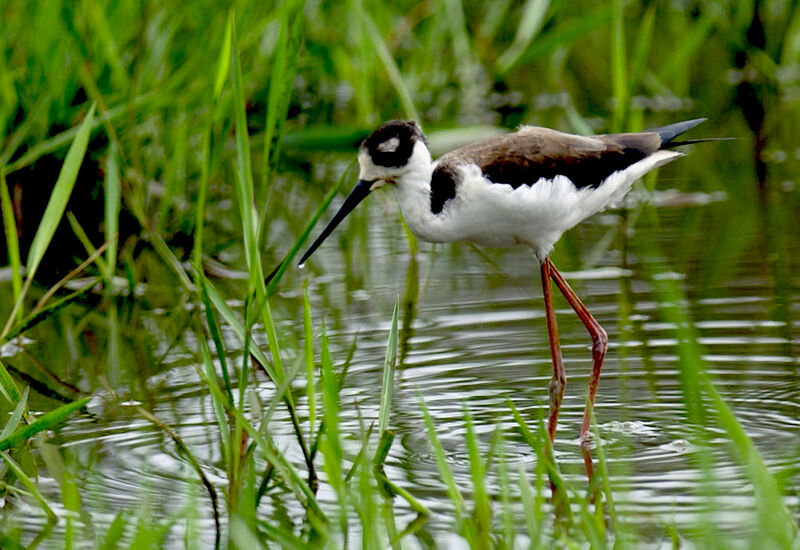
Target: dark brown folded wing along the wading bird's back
532 153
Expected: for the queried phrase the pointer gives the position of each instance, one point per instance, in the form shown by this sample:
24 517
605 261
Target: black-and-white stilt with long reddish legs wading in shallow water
524 188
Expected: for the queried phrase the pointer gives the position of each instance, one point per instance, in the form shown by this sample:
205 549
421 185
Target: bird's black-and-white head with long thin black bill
395 149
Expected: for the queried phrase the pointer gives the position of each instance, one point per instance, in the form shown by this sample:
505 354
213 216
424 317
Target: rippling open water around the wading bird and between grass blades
474 336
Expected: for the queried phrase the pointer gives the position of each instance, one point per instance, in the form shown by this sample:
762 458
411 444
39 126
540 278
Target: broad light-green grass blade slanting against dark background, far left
60 195
